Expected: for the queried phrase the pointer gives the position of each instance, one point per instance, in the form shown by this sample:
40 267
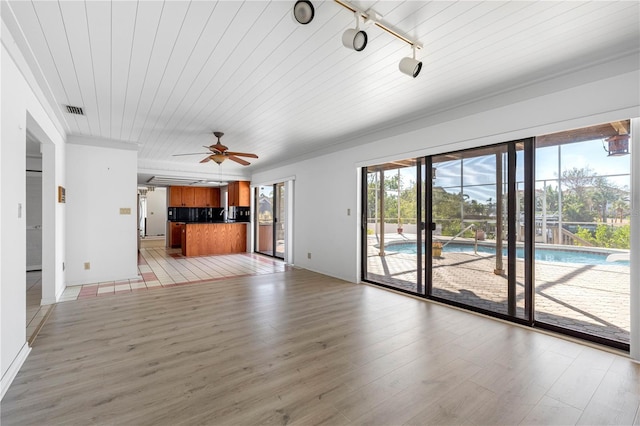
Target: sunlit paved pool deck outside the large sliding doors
593 299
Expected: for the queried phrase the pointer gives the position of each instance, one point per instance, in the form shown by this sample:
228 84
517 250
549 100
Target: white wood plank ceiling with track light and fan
165 74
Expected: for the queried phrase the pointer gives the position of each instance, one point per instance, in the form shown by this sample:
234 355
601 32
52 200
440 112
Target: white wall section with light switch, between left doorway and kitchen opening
100 182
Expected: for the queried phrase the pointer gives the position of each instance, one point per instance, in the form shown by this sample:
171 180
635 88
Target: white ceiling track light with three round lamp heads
356 39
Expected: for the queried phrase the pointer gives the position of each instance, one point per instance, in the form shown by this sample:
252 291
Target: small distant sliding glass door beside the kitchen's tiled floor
271 220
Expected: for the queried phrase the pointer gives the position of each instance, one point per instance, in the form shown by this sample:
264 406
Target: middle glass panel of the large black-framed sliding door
470 256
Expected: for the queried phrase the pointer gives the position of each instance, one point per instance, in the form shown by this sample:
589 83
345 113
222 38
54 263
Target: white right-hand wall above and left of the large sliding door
326 186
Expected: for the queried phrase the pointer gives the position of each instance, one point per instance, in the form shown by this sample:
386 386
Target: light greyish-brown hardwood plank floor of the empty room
301 348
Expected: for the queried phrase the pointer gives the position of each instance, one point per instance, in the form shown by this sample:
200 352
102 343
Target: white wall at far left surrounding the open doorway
21 110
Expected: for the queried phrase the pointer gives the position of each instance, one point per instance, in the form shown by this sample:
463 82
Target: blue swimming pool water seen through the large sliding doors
544 254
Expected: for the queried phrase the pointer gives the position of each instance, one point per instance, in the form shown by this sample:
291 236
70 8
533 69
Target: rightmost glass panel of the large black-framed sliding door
582 211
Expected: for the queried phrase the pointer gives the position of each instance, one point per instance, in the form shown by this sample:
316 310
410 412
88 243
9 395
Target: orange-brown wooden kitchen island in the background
201 239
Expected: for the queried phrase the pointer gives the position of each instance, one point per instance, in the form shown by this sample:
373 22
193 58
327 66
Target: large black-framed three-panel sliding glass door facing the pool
536 231
